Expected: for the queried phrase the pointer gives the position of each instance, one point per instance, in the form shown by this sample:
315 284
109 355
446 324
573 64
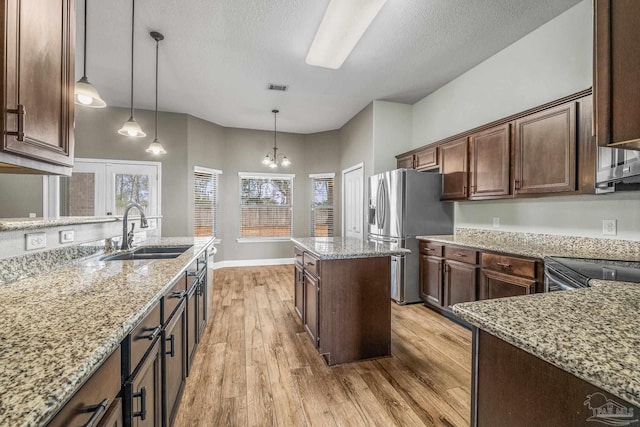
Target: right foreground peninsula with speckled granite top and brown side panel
562 358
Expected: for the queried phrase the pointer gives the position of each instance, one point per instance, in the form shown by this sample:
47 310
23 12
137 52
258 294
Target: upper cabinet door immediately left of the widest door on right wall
490 162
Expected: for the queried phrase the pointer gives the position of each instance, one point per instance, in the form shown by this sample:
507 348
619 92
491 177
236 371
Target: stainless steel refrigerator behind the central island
403 204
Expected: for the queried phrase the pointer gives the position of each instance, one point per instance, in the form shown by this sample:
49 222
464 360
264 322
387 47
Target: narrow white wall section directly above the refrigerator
391 133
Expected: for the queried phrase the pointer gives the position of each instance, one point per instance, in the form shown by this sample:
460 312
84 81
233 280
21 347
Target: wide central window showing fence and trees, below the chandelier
266 206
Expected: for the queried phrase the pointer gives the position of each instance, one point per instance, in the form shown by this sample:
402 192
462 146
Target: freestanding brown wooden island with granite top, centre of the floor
343 294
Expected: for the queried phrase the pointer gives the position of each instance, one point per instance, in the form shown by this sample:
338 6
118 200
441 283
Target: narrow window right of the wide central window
322 205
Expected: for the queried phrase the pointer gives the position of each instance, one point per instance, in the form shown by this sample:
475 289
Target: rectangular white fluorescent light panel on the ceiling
344 22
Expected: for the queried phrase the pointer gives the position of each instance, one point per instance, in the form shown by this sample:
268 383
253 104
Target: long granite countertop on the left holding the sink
56 328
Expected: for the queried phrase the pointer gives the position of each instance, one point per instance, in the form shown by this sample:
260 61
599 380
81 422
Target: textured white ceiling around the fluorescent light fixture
219 55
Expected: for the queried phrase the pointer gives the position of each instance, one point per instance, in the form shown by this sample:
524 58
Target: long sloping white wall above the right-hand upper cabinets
553 61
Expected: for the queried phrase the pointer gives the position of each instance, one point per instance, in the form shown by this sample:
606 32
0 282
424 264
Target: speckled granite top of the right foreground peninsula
591 333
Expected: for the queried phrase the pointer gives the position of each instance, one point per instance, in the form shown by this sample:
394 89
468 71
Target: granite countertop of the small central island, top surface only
347 247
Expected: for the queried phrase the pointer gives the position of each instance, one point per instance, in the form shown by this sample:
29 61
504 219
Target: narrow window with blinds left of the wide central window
206 219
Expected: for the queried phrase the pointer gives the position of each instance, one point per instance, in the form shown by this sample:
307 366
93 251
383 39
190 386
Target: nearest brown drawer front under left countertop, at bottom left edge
103 385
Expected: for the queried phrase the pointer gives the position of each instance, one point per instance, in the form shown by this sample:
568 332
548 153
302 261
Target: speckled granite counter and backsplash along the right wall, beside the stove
540 245
